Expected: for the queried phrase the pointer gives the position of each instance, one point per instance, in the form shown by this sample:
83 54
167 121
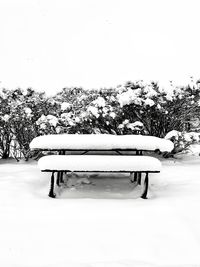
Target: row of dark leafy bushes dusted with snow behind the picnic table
132 108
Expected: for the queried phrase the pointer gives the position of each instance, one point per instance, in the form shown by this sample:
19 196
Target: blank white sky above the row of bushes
48 45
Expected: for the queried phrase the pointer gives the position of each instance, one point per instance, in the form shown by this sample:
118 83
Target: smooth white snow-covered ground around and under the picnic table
102 224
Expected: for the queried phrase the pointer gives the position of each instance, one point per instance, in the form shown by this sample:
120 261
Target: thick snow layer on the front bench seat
99 163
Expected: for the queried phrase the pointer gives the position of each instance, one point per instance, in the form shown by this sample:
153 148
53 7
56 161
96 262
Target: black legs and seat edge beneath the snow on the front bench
137 178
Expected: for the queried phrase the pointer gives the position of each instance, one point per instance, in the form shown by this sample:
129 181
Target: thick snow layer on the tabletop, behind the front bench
101 142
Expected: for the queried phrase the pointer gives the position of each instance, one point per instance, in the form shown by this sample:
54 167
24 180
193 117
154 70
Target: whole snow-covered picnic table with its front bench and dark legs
85 143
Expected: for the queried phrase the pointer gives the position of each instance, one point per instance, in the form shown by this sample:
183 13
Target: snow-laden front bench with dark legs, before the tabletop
99 163
